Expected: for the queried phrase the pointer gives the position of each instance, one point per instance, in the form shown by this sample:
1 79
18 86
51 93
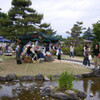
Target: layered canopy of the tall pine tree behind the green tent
25 19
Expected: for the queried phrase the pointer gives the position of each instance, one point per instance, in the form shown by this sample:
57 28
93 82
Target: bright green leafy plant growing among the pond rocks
65 81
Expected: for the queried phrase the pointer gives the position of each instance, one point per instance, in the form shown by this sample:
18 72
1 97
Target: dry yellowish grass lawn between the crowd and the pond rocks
8 65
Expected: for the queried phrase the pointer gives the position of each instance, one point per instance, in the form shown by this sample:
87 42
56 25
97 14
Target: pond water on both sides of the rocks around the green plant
28 91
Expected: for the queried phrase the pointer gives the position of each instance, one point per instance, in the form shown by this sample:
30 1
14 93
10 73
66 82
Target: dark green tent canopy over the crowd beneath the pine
41 37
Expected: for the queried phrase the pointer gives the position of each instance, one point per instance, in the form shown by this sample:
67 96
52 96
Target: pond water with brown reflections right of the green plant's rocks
90 86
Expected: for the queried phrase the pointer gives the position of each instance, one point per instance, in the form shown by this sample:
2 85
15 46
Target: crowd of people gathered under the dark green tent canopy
37 51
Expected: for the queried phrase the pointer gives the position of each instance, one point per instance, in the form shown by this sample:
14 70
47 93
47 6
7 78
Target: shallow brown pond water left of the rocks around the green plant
20 91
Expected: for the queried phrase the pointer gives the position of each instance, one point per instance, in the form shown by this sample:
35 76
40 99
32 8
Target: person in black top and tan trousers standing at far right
96 52
